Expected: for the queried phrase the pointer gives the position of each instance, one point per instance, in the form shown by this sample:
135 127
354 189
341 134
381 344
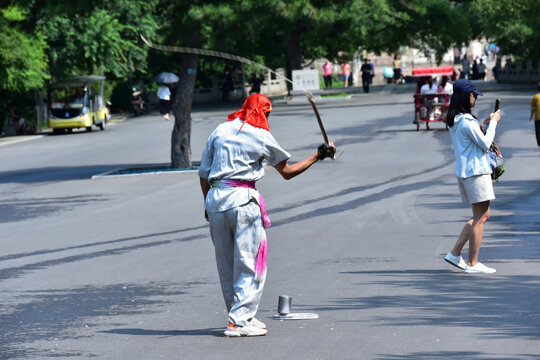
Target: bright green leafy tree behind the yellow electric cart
95 37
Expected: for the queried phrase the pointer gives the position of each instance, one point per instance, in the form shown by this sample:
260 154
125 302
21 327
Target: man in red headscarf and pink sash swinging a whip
233 160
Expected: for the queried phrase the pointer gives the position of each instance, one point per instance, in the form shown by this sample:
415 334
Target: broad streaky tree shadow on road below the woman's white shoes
498 306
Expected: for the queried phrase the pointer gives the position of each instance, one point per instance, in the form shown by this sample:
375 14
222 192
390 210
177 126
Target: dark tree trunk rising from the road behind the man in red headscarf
181 108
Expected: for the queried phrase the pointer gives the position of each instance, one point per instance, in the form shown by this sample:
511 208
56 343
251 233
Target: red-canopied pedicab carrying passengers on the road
431 106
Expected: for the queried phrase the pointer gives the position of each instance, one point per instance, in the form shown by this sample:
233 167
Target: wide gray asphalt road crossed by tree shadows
123 267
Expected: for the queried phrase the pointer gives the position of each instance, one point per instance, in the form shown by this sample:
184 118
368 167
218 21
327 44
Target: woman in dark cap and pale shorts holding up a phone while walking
473 172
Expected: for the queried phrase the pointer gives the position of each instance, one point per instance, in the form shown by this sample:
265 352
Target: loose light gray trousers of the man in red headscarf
237 234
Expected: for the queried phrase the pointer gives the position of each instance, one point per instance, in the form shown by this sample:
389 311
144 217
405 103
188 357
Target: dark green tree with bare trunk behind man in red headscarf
275 31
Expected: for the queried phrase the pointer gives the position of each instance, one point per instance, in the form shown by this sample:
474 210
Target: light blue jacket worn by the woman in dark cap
470 145
